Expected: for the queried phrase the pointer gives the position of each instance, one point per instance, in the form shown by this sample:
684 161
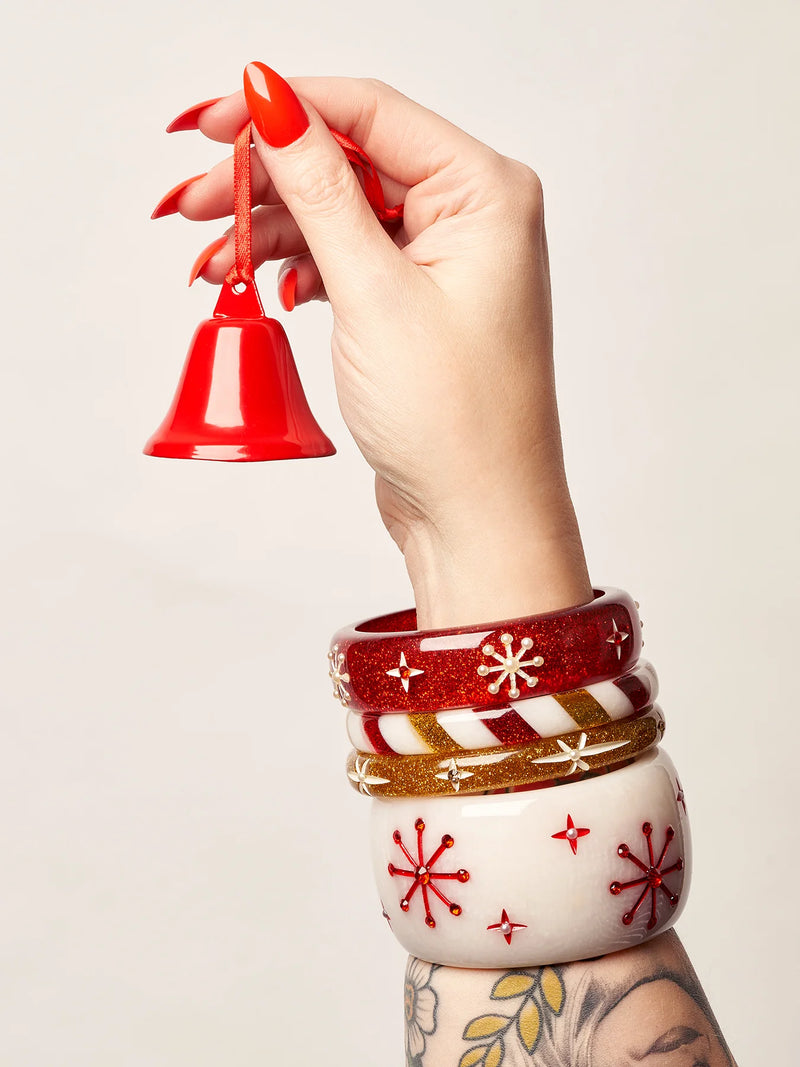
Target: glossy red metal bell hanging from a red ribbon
239 399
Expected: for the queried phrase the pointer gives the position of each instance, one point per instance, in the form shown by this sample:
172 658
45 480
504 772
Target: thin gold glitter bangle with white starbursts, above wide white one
475 771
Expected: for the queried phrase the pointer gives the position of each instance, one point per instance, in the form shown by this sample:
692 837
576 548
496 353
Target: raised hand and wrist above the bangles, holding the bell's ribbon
442 342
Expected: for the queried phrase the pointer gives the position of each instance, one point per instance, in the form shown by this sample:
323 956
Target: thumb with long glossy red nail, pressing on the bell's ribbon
314 179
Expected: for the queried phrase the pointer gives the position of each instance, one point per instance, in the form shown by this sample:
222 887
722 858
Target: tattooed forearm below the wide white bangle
634 1008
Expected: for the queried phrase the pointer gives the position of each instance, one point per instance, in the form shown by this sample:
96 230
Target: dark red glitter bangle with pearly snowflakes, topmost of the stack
386 666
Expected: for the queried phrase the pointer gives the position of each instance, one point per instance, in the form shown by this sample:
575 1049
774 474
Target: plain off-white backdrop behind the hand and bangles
184 874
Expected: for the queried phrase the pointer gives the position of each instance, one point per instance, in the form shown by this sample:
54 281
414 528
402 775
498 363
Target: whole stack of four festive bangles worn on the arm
523 814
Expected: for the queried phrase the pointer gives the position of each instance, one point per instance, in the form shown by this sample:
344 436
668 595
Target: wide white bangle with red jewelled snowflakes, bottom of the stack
529 880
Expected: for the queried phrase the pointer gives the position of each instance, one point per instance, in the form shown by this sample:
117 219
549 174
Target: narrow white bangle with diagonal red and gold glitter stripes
516 724
